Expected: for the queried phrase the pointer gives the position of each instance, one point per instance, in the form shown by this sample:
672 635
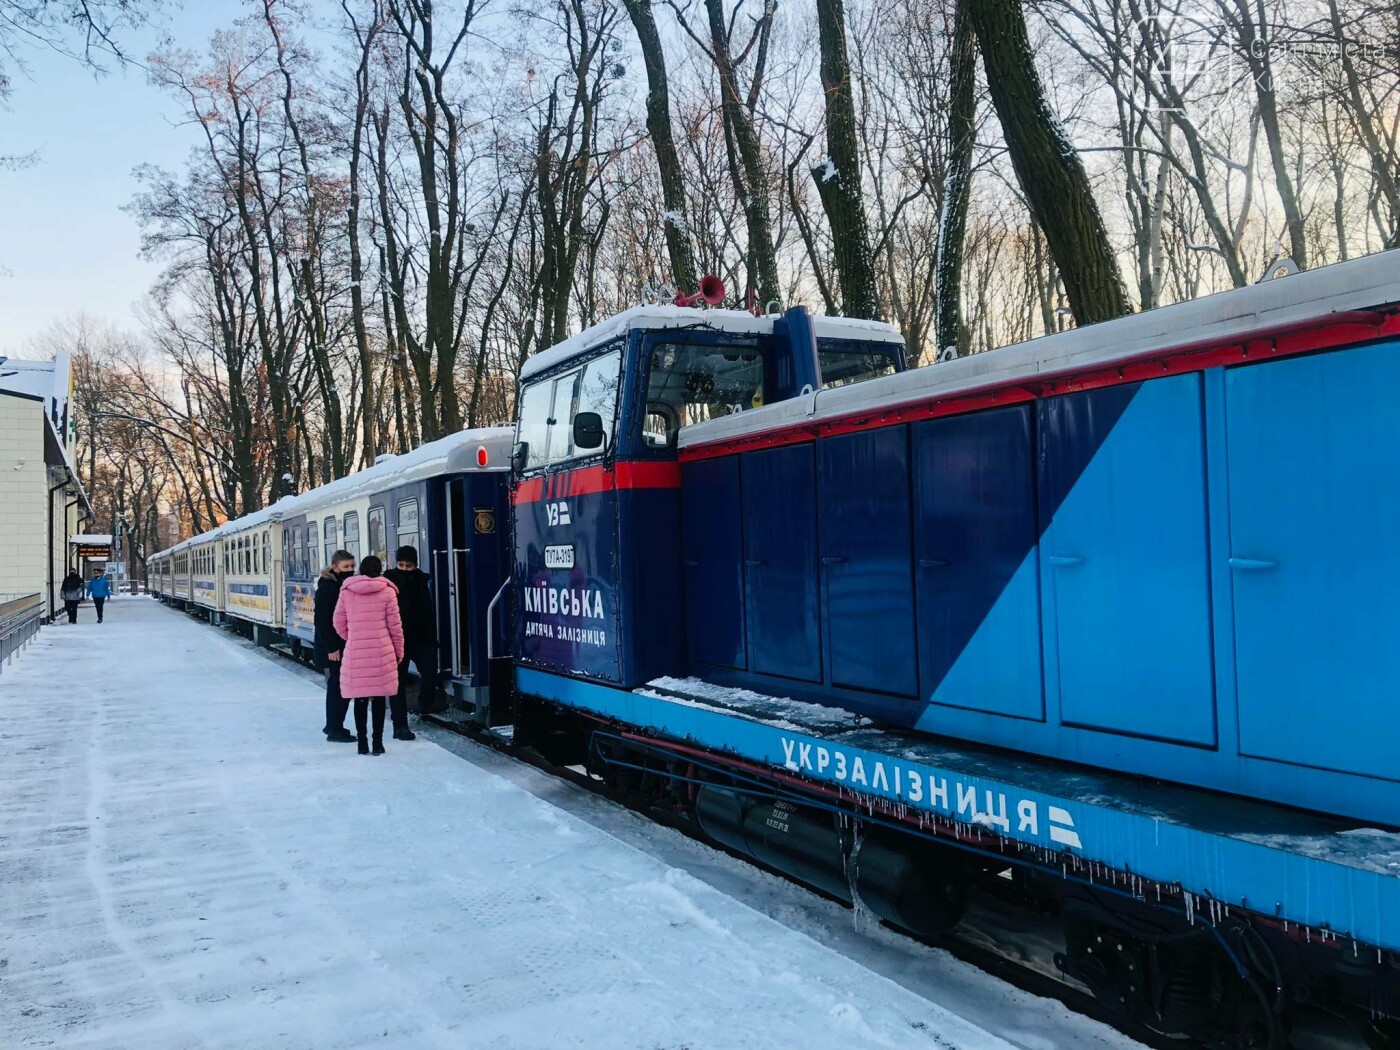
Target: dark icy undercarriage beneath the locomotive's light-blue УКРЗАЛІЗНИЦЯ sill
1161 965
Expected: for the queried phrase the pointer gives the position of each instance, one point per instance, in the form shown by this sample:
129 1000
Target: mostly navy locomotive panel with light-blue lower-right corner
979 594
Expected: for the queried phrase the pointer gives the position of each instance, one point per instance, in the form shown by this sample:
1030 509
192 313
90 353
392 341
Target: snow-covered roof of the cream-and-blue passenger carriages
454 454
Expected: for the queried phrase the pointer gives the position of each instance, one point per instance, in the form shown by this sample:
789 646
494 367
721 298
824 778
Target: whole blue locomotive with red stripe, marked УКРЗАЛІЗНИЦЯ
901 632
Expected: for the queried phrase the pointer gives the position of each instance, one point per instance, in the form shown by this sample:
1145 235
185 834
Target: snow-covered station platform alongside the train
185 862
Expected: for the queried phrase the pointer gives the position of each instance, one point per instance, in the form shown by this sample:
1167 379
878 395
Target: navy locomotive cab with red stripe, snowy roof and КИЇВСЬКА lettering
601 580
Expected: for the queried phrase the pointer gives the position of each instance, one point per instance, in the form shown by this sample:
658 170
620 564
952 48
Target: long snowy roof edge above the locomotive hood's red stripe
1226 317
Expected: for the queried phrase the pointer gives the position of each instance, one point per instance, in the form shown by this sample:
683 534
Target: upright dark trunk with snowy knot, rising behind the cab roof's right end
839 180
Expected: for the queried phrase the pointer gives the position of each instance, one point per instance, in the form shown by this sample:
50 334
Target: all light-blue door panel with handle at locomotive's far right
1315 520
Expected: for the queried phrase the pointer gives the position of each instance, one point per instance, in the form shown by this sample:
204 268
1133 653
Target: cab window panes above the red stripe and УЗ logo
549 408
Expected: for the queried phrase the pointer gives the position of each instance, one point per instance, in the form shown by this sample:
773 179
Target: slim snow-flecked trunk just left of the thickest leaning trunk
953 222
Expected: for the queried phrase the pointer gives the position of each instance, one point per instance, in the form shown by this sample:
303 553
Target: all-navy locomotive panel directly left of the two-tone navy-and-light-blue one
867 558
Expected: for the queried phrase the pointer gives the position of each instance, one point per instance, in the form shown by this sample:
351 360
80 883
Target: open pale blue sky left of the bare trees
66 247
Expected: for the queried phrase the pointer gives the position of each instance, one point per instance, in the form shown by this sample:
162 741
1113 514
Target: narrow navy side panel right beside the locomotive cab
713 540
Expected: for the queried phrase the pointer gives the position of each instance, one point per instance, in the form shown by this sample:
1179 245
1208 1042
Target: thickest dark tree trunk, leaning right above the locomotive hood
1048 167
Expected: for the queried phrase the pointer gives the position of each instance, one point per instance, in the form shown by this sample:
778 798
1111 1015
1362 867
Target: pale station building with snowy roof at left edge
43 505
